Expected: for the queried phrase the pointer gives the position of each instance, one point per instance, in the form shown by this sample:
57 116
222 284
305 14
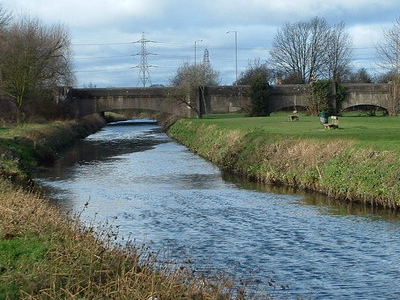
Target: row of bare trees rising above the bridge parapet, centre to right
310 50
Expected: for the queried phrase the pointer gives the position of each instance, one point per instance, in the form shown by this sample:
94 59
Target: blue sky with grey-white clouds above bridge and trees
106 34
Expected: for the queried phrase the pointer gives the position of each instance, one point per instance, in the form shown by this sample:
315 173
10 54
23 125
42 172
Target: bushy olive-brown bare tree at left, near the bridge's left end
35 59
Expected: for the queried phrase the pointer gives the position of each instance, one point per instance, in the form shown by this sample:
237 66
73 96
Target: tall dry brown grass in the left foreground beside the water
44 256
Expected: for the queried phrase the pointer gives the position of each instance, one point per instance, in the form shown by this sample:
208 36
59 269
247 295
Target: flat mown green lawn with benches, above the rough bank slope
379 133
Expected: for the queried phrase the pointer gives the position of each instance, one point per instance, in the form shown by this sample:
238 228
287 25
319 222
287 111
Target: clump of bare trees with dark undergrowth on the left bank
35 60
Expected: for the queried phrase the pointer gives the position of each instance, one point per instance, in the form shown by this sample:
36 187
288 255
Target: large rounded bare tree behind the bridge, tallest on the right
310 49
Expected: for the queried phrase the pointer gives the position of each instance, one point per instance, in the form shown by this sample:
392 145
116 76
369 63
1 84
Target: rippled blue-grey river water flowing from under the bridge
175 202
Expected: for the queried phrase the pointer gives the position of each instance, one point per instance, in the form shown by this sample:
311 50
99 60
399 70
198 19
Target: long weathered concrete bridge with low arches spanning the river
222 99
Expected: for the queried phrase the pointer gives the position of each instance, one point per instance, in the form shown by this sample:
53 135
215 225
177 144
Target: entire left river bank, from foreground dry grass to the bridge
47 255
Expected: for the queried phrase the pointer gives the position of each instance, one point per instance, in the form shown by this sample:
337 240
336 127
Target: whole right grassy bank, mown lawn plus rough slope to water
358 162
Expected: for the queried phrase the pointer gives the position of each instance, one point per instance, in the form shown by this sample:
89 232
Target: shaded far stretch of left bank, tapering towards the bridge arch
22 147
